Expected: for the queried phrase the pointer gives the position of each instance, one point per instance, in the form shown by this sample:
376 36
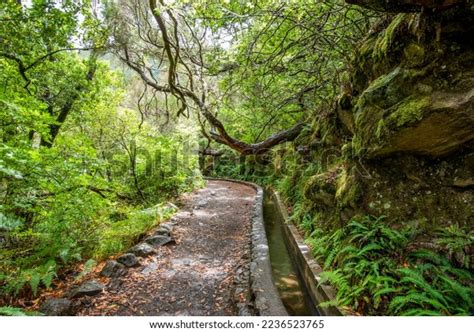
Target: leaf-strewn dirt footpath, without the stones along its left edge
195 275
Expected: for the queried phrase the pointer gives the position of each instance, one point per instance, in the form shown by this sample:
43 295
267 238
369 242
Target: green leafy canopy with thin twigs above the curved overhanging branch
285 59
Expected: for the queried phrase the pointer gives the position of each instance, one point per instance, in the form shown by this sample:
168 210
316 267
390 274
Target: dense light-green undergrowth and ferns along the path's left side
56 214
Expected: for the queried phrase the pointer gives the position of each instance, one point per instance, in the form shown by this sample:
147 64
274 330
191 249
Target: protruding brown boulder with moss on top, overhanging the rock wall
433 125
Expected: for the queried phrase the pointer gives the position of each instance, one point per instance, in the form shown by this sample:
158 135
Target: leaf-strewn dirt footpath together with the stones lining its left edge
204 270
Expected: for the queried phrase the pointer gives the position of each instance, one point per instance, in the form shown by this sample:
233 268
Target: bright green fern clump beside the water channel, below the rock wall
373 272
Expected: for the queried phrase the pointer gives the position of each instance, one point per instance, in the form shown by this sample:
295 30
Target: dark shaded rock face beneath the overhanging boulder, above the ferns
419 190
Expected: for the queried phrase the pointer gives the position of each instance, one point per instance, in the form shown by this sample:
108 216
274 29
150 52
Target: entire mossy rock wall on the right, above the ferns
398 141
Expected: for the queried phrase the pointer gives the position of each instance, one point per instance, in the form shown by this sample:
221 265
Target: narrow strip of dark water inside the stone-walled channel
285 274
